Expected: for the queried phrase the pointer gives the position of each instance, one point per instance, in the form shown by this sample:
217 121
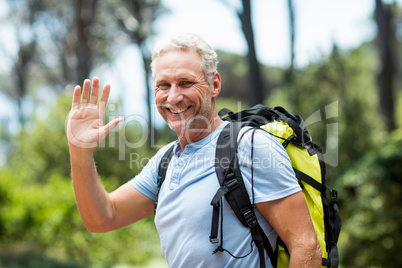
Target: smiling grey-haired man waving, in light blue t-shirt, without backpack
186 86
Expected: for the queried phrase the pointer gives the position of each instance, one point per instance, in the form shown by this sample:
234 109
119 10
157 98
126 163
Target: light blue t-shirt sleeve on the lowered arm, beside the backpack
266 167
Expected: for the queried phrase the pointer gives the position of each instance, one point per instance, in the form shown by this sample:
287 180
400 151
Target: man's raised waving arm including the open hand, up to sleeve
99 210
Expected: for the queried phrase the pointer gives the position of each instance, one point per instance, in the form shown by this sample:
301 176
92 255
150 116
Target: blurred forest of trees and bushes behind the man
351 100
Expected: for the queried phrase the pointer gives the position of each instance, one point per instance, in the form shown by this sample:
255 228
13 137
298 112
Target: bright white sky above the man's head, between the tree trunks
319 23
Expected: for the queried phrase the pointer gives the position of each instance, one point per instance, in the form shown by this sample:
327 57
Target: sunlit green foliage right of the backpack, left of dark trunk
337 92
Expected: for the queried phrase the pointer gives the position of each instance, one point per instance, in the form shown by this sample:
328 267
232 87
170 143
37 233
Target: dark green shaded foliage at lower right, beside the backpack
370 202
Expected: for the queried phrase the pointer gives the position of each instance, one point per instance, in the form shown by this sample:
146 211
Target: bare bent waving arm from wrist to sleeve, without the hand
99 210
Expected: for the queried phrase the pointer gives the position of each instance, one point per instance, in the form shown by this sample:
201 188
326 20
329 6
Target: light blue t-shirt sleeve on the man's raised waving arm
147 180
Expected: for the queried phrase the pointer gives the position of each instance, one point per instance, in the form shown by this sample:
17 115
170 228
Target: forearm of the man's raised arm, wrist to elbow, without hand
92 199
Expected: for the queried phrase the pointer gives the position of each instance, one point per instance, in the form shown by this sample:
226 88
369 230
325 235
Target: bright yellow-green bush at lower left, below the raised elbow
46 216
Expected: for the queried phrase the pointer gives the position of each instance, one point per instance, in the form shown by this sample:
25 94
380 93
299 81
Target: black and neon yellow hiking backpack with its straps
308 163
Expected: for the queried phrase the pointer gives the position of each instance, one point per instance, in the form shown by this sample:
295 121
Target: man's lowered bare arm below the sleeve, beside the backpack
291 219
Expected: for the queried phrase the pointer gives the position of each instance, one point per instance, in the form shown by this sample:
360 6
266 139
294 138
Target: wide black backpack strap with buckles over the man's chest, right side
233 188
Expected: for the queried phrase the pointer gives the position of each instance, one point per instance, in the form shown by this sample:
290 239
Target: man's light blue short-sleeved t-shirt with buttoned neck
184 214
